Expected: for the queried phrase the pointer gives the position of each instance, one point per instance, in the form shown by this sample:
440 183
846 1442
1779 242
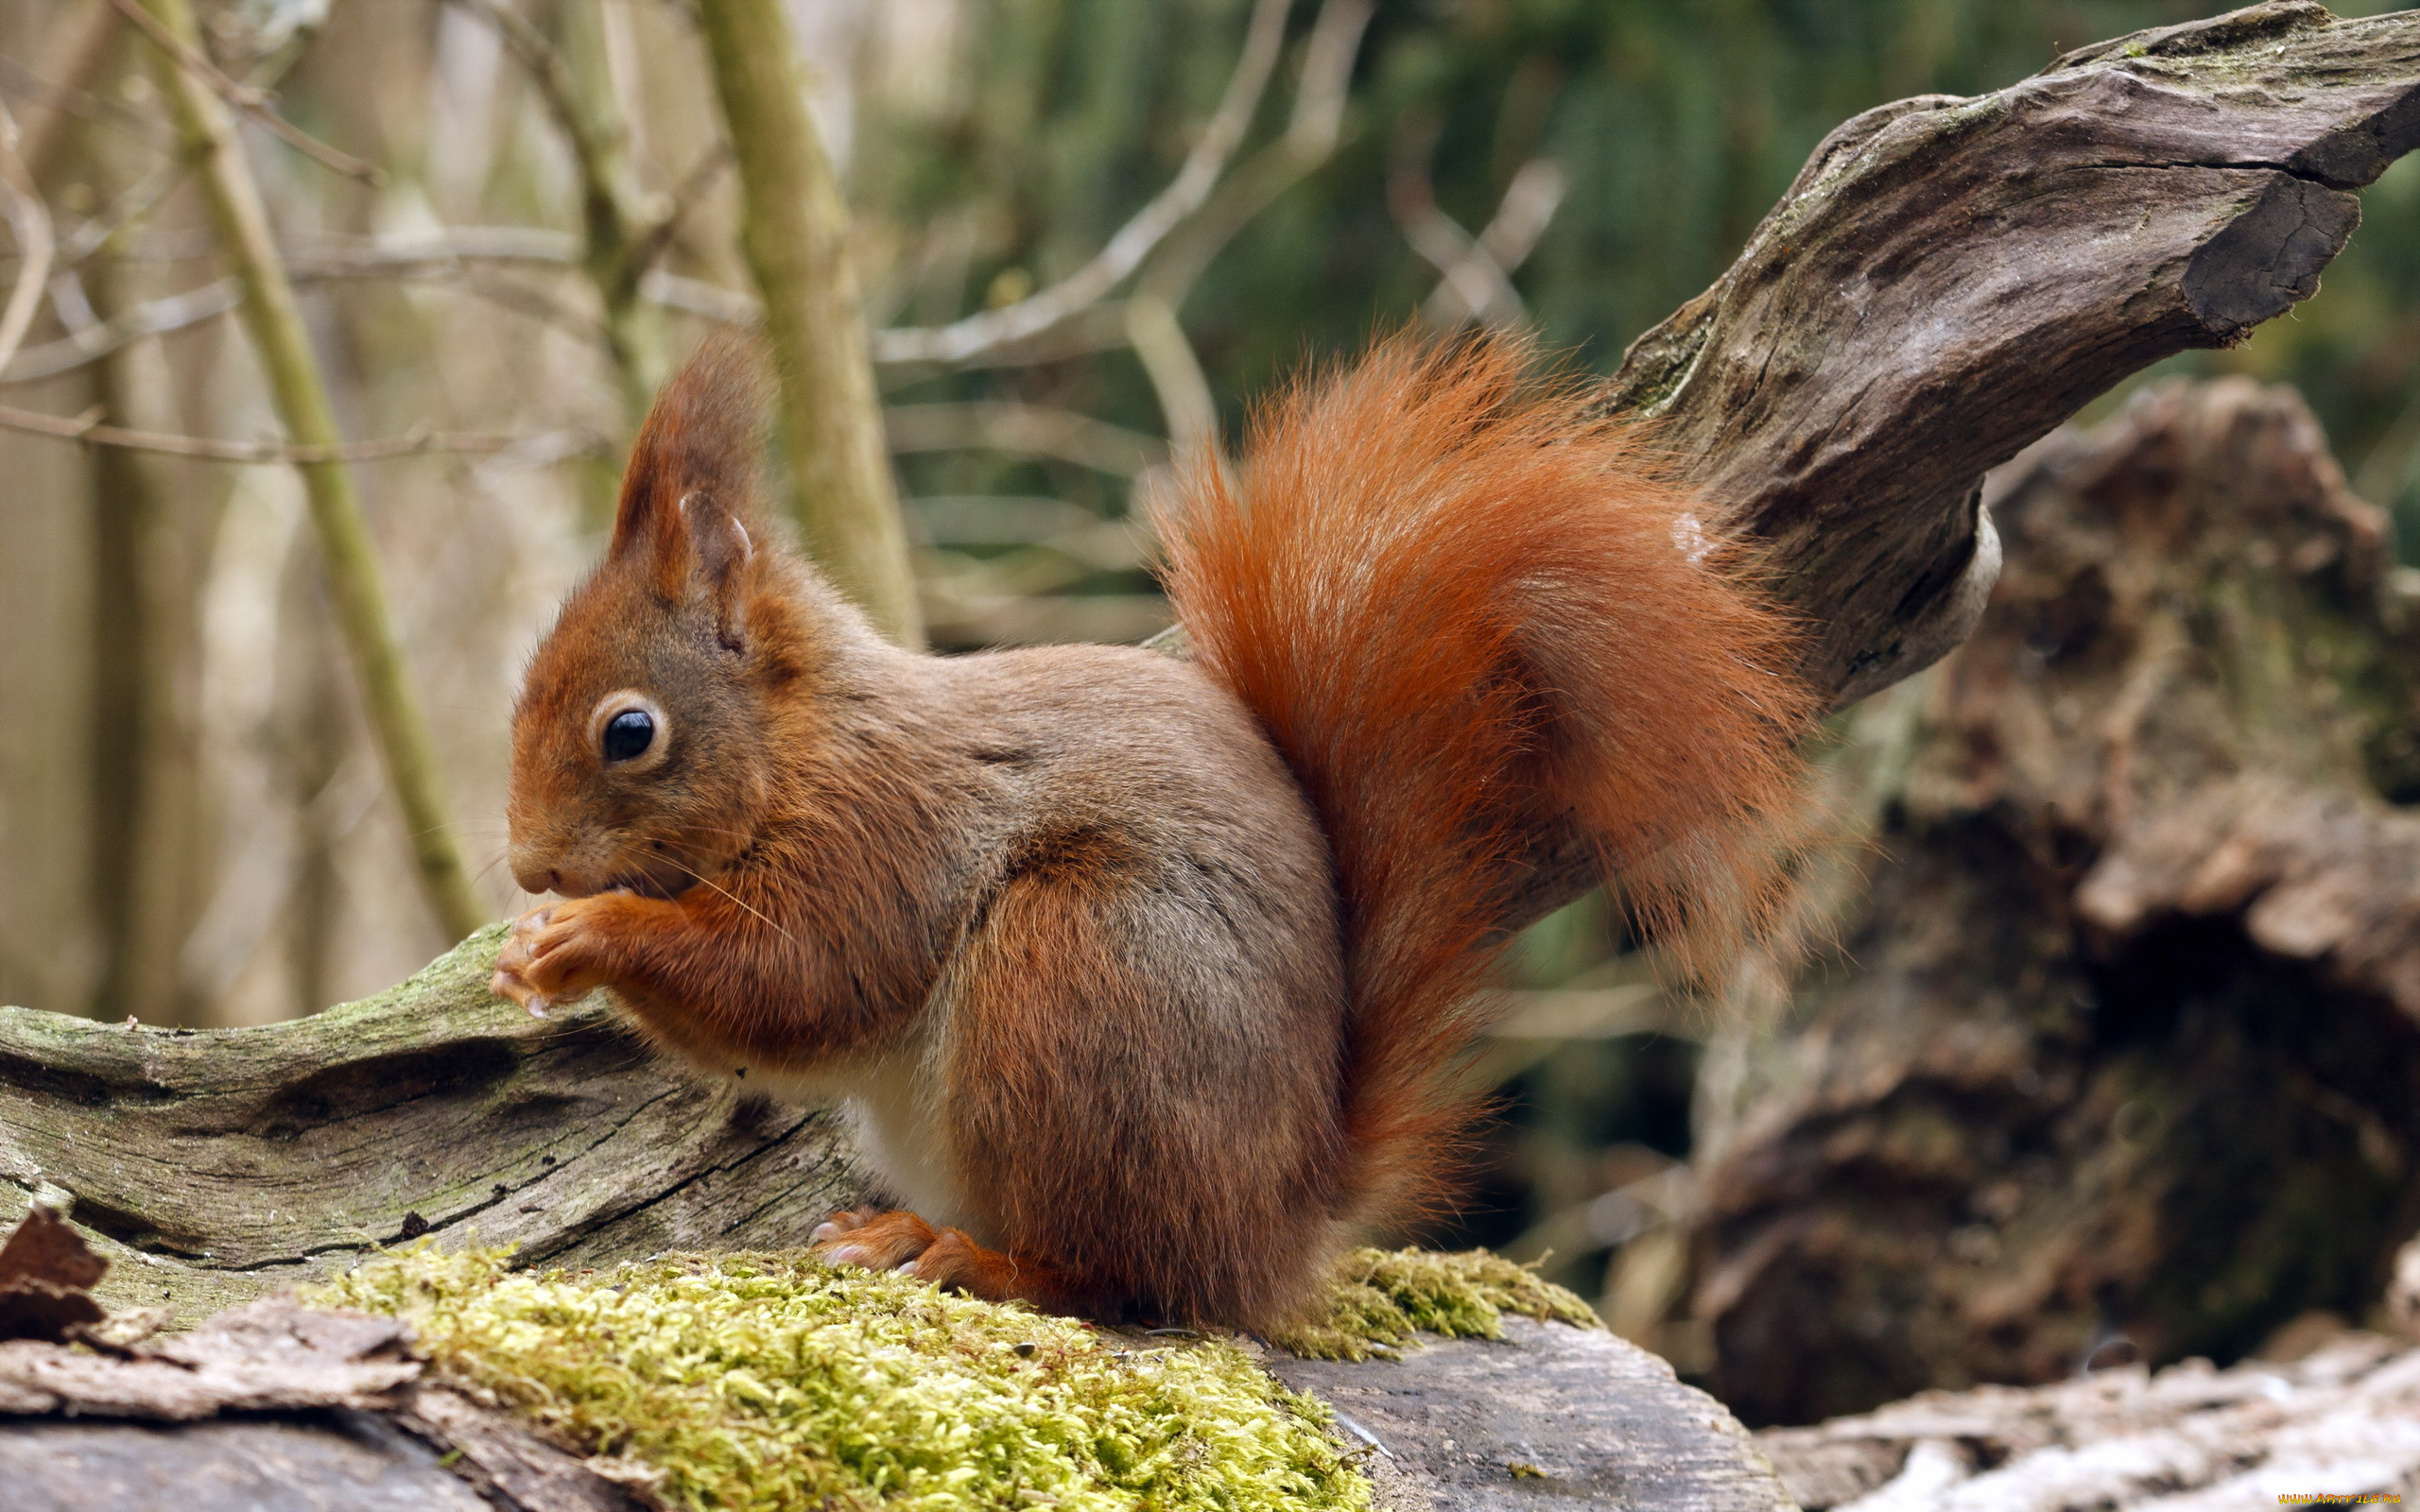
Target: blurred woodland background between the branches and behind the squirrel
190 821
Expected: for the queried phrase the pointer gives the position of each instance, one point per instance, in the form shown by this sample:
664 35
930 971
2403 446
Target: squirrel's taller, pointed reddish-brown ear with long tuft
701 437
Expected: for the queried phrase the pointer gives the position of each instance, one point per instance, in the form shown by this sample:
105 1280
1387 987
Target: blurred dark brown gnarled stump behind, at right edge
2124 1049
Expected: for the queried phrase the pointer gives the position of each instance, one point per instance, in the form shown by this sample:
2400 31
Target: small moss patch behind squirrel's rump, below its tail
1383 1298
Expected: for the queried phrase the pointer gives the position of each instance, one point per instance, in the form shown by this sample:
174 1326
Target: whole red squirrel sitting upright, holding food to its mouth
1148 981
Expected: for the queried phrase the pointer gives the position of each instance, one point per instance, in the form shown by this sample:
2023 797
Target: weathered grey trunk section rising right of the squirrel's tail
1949 279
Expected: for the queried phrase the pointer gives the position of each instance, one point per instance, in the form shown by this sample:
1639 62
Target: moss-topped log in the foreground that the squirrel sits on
328 1407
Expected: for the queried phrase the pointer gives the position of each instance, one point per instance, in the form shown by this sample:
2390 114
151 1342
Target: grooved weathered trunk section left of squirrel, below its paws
217 1165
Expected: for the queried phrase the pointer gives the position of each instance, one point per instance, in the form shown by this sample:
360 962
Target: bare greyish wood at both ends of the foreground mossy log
289 1407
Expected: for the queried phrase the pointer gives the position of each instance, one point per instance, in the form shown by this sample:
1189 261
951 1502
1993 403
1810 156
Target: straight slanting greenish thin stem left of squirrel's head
301 396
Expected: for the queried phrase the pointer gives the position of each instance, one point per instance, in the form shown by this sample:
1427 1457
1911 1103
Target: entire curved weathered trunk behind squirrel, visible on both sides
1947 282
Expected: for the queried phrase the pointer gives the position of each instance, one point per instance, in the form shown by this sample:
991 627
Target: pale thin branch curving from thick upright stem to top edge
1136 238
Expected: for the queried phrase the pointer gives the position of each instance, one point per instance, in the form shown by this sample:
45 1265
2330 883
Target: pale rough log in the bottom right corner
2344 1421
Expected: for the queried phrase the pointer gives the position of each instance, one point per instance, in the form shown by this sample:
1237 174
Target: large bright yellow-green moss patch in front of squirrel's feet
776 1383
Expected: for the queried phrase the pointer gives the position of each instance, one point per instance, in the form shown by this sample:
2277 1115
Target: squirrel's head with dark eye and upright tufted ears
640 737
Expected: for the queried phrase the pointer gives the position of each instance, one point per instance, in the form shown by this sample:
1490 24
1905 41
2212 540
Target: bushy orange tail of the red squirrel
1463 606
